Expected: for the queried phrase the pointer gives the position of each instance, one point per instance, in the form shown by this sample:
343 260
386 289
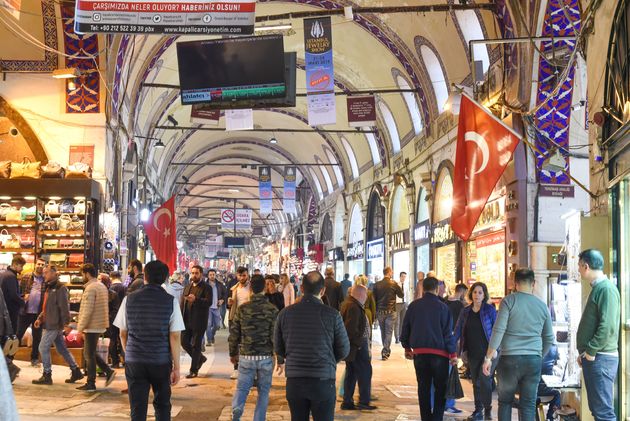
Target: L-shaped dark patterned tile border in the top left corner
50 61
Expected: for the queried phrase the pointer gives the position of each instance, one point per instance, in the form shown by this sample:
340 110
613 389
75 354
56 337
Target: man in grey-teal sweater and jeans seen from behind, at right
524 333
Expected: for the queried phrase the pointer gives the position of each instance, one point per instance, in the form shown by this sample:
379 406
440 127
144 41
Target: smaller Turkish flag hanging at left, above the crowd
161 230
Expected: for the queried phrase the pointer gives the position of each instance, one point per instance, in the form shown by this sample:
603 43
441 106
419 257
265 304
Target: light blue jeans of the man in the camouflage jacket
248 370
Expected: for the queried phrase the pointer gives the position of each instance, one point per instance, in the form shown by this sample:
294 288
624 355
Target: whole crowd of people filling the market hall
304 328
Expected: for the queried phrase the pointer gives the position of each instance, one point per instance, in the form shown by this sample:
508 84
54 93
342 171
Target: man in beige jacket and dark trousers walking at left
93 321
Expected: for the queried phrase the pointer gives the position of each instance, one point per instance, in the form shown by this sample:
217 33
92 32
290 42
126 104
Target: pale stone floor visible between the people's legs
208 397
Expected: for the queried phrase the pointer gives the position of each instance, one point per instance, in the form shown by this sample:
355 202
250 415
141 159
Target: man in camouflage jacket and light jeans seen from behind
251 346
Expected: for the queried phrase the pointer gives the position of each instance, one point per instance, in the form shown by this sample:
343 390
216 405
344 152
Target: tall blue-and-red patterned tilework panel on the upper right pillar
553 119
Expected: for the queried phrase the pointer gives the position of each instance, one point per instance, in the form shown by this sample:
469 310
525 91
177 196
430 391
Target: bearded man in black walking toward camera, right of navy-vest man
195 308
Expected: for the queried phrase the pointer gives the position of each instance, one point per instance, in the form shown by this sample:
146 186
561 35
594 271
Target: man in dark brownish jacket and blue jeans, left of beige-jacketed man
54 318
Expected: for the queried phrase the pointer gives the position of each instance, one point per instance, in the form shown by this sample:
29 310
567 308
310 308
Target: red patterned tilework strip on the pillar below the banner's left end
85 98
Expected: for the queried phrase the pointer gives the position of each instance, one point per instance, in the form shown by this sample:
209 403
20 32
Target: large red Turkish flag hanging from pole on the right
484 148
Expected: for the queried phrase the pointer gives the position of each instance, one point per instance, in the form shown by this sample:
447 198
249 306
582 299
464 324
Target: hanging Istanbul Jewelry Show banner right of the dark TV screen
320 77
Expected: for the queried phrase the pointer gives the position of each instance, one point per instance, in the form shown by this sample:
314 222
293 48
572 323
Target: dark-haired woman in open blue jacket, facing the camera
473 330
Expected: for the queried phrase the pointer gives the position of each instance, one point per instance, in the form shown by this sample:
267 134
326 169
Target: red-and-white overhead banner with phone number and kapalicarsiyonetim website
185 17
